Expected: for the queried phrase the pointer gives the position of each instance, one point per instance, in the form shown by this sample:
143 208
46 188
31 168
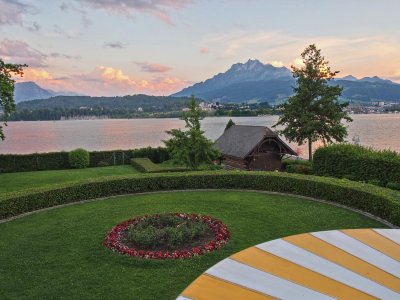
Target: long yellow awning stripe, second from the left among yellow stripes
285 269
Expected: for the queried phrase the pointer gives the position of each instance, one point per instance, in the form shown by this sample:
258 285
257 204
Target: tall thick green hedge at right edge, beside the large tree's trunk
357 163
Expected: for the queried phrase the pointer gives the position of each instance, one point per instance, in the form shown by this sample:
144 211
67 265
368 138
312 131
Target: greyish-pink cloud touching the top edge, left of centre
158 8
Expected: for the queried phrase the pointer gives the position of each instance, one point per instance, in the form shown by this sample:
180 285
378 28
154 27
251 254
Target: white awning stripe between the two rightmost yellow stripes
360 250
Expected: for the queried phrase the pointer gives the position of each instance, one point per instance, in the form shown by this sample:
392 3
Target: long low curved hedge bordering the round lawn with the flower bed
378 201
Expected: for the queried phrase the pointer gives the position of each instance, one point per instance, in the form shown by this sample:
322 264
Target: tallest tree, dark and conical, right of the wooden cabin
314 112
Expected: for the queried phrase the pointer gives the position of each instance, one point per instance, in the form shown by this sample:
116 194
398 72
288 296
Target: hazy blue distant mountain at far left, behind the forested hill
29 90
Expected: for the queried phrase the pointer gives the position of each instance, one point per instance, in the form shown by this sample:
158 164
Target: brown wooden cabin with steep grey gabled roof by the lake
252 148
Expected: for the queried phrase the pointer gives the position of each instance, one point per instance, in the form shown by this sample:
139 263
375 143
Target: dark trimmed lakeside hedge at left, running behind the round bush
59 160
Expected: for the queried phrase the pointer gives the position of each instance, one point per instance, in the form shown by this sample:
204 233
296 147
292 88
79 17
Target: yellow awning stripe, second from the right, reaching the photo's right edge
340 257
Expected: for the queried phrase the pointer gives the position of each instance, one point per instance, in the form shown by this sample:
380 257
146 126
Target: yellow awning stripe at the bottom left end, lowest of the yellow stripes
207 287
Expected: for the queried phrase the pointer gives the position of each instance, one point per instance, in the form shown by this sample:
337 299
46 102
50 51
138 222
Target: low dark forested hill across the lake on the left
66 107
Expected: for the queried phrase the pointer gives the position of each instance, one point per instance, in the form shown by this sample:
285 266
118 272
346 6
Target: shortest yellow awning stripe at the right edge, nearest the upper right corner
376 241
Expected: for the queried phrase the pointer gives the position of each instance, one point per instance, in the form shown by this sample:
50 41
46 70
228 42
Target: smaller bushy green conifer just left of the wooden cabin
191 147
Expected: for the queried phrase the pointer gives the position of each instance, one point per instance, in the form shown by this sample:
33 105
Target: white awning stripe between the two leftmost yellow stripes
268 284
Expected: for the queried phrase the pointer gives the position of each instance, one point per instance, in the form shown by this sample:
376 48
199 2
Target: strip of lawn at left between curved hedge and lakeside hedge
19 181
